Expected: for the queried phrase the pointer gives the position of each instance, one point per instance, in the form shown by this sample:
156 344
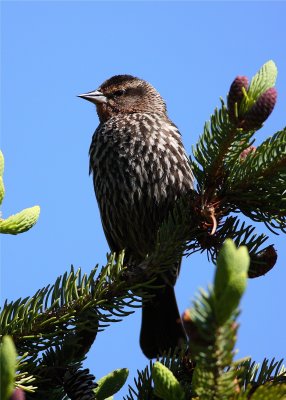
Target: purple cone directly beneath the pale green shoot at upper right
260 111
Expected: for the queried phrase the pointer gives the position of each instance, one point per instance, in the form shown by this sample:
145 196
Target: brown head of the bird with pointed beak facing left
125 94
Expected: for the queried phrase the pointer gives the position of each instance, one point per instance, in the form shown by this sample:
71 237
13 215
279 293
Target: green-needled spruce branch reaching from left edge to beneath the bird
77 300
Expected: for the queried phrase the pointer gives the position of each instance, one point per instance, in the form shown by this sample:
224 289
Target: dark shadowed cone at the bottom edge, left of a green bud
79 384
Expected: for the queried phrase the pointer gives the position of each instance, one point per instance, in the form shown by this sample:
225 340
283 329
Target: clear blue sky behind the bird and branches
191 52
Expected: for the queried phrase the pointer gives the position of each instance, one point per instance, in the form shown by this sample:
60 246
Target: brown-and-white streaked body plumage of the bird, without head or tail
139 170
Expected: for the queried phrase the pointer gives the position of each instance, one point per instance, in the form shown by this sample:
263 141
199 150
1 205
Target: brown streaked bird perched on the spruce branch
140 170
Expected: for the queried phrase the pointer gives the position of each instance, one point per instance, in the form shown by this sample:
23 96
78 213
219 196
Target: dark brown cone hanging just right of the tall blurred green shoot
262 262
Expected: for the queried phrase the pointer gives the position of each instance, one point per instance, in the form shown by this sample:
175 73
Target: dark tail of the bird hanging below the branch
161 327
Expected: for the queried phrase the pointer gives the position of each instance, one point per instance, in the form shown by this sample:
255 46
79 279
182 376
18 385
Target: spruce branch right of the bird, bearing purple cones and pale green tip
234 177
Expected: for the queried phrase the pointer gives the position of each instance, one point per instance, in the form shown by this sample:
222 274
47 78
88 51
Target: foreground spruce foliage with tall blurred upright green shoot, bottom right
207 370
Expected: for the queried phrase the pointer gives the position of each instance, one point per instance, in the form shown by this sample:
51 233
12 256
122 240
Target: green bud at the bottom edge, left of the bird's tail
110 384
